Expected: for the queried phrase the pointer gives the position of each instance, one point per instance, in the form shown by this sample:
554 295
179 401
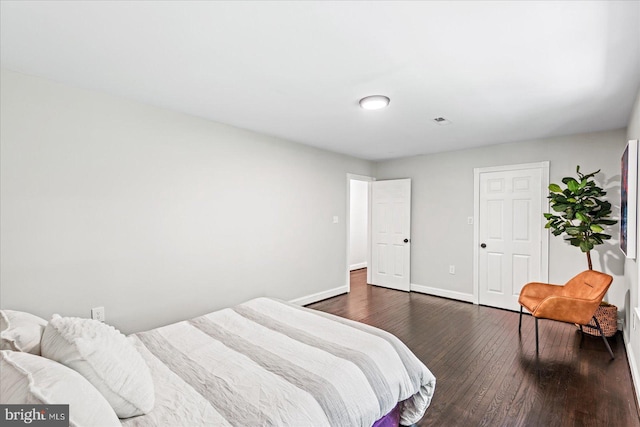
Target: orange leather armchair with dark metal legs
575 302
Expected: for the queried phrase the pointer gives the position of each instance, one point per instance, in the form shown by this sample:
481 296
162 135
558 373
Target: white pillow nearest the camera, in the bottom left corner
28 379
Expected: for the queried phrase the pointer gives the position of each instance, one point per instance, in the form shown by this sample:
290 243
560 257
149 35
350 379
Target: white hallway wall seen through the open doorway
358 228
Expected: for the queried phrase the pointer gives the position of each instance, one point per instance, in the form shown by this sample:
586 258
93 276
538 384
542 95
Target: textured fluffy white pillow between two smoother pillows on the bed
104 357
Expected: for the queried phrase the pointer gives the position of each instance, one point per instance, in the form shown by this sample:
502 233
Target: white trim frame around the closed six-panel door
544 246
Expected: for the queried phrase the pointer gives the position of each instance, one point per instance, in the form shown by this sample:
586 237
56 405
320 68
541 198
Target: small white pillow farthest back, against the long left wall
20 331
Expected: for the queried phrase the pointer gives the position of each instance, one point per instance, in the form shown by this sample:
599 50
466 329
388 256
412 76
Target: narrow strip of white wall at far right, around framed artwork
631 273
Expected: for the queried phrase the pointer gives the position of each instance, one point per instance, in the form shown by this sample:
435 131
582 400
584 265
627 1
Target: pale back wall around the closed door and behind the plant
442 200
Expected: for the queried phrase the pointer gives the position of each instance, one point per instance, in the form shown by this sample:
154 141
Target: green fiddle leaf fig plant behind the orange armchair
580 211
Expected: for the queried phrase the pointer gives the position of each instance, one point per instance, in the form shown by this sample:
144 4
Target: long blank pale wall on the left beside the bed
156 215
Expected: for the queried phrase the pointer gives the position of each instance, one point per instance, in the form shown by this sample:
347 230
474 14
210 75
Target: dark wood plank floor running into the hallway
487 374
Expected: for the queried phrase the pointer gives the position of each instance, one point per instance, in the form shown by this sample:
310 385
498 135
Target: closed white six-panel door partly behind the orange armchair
511 238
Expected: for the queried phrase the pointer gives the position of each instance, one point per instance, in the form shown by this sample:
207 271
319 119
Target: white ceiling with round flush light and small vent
498 71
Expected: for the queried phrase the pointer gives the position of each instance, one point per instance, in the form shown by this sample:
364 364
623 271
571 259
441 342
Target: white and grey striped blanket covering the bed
267 362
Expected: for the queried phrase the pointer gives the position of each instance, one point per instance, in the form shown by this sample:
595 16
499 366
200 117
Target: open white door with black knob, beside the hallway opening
391 233
